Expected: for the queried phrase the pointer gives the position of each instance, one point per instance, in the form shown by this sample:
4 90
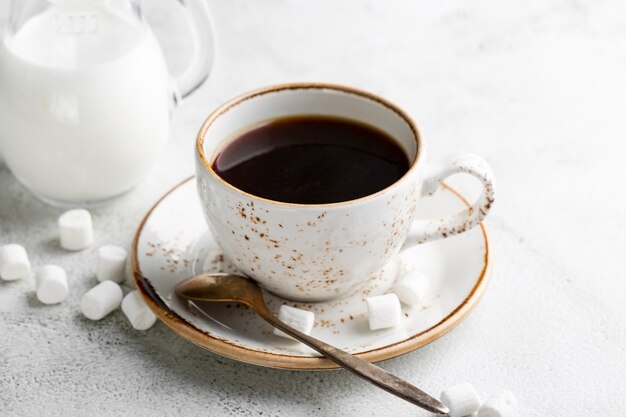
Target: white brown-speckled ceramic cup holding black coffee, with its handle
314 252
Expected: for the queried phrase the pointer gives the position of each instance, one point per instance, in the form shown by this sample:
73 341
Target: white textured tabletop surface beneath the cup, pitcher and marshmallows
536 87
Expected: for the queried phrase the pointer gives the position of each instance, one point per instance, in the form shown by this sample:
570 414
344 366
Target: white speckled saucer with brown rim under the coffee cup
173 243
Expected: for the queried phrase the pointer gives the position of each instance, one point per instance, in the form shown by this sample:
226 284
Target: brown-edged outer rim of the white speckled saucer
294 362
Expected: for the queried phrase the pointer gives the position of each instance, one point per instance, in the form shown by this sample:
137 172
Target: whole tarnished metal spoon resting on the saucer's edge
235 288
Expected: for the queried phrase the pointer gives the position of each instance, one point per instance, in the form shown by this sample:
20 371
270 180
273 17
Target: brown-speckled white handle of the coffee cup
432 229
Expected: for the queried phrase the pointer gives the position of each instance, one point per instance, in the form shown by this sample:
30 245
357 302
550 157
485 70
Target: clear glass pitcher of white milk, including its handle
86 96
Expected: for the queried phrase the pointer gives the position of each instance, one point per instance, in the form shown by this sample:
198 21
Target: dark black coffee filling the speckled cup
312 160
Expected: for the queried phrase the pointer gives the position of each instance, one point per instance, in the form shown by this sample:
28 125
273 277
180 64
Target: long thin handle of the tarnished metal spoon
359 367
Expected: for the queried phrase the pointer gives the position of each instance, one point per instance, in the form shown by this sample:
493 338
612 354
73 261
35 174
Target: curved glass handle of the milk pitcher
203 55
